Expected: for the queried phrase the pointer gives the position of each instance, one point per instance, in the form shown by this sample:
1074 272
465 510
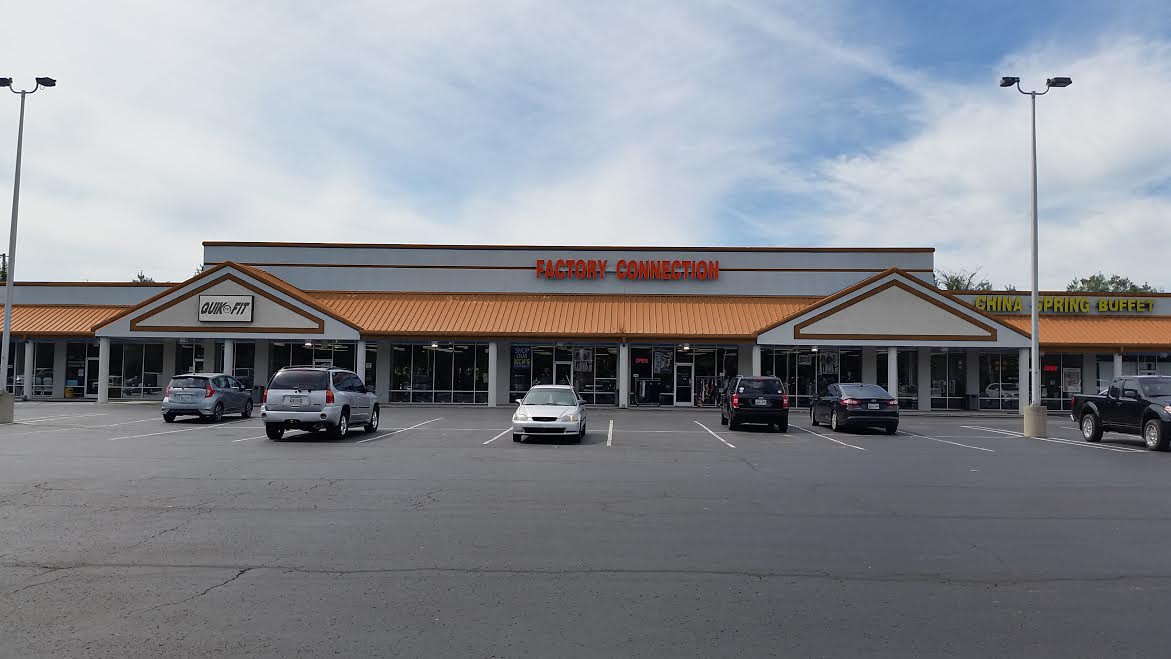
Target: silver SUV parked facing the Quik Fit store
314 399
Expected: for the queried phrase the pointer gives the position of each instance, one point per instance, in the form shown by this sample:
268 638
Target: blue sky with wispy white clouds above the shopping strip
645 123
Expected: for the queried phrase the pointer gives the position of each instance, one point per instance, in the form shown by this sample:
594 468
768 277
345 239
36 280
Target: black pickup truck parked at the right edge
1133 406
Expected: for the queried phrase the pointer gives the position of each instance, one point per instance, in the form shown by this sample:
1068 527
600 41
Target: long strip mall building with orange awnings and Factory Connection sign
627 326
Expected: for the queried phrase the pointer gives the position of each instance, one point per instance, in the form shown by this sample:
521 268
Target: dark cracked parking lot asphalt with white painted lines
663 534
